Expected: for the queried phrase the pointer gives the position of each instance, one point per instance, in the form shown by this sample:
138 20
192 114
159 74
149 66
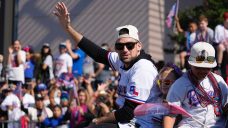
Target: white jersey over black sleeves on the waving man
135 83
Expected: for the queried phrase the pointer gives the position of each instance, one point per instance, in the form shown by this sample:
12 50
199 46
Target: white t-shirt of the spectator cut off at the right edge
221 34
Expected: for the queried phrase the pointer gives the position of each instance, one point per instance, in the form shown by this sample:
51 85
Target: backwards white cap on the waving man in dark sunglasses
128 31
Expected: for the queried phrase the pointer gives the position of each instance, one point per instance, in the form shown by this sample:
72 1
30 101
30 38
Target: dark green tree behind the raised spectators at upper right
212 9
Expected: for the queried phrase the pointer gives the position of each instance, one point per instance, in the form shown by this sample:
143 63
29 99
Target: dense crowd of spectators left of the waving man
67 90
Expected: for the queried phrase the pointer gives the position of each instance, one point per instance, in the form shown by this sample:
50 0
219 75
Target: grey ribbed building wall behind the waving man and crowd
97 20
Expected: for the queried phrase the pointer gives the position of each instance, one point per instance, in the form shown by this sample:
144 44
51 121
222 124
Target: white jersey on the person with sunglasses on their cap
182 94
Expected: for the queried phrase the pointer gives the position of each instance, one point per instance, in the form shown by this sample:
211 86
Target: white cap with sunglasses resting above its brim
202 55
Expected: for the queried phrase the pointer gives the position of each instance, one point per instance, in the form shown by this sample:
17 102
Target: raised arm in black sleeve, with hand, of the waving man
94 51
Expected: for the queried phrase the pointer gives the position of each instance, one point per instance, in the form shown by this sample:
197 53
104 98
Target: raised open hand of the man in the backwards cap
62 13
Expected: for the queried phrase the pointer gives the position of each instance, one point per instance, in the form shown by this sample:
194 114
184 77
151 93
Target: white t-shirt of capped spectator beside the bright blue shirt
62 63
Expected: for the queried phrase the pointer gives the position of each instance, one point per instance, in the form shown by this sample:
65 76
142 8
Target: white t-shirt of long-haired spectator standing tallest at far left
16 72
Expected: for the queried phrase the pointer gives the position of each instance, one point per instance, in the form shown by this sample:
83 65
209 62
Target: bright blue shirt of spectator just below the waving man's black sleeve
77 69
